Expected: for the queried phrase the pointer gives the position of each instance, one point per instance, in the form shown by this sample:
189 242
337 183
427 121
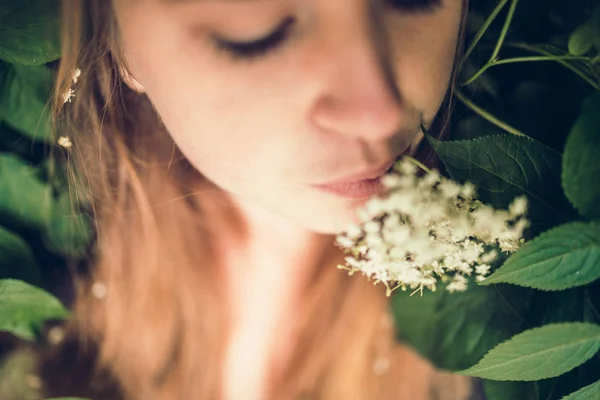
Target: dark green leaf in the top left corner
30 31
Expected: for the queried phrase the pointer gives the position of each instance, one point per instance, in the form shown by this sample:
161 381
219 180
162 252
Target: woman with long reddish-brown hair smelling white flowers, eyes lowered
202 132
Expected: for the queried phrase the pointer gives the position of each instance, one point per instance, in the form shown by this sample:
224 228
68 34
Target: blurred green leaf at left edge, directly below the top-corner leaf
24 101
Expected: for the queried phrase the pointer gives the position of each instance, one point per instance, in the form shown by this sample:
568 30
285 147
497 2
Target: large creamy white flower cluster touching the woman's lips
427 229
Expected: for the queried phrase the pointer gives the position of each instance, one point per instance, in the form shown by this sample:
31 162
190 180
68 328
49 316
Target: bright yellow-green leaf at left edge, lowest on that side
24 308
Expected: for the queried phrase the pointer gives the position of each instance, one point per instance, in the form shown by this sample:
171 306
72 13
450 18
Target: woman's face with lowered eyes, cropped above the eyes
336 88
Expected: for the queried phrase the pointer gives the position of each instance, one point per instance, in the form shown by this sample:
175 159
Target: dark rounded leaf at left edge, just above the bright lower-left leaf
16 259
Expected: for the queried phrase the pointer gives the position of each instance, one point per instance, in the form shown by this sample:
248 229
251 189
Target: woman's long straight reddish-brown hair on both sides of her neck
151 301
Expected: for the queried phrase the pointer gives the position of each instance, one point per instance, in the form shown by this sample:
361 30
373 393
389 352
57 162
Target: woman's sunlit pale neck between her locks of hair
267 263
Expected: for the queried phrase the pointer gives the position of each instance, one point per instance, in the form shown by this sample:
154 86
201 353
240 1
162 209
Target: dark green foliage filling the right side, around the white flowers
530 95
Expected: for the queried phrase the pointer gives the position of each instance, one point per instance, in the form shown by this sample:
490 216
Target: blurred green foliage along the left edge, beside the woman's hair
40 228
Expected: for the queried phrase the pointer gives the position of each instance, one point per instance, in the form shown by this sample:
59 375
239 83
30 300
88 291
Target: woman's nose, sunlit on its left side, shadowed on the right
358 96
